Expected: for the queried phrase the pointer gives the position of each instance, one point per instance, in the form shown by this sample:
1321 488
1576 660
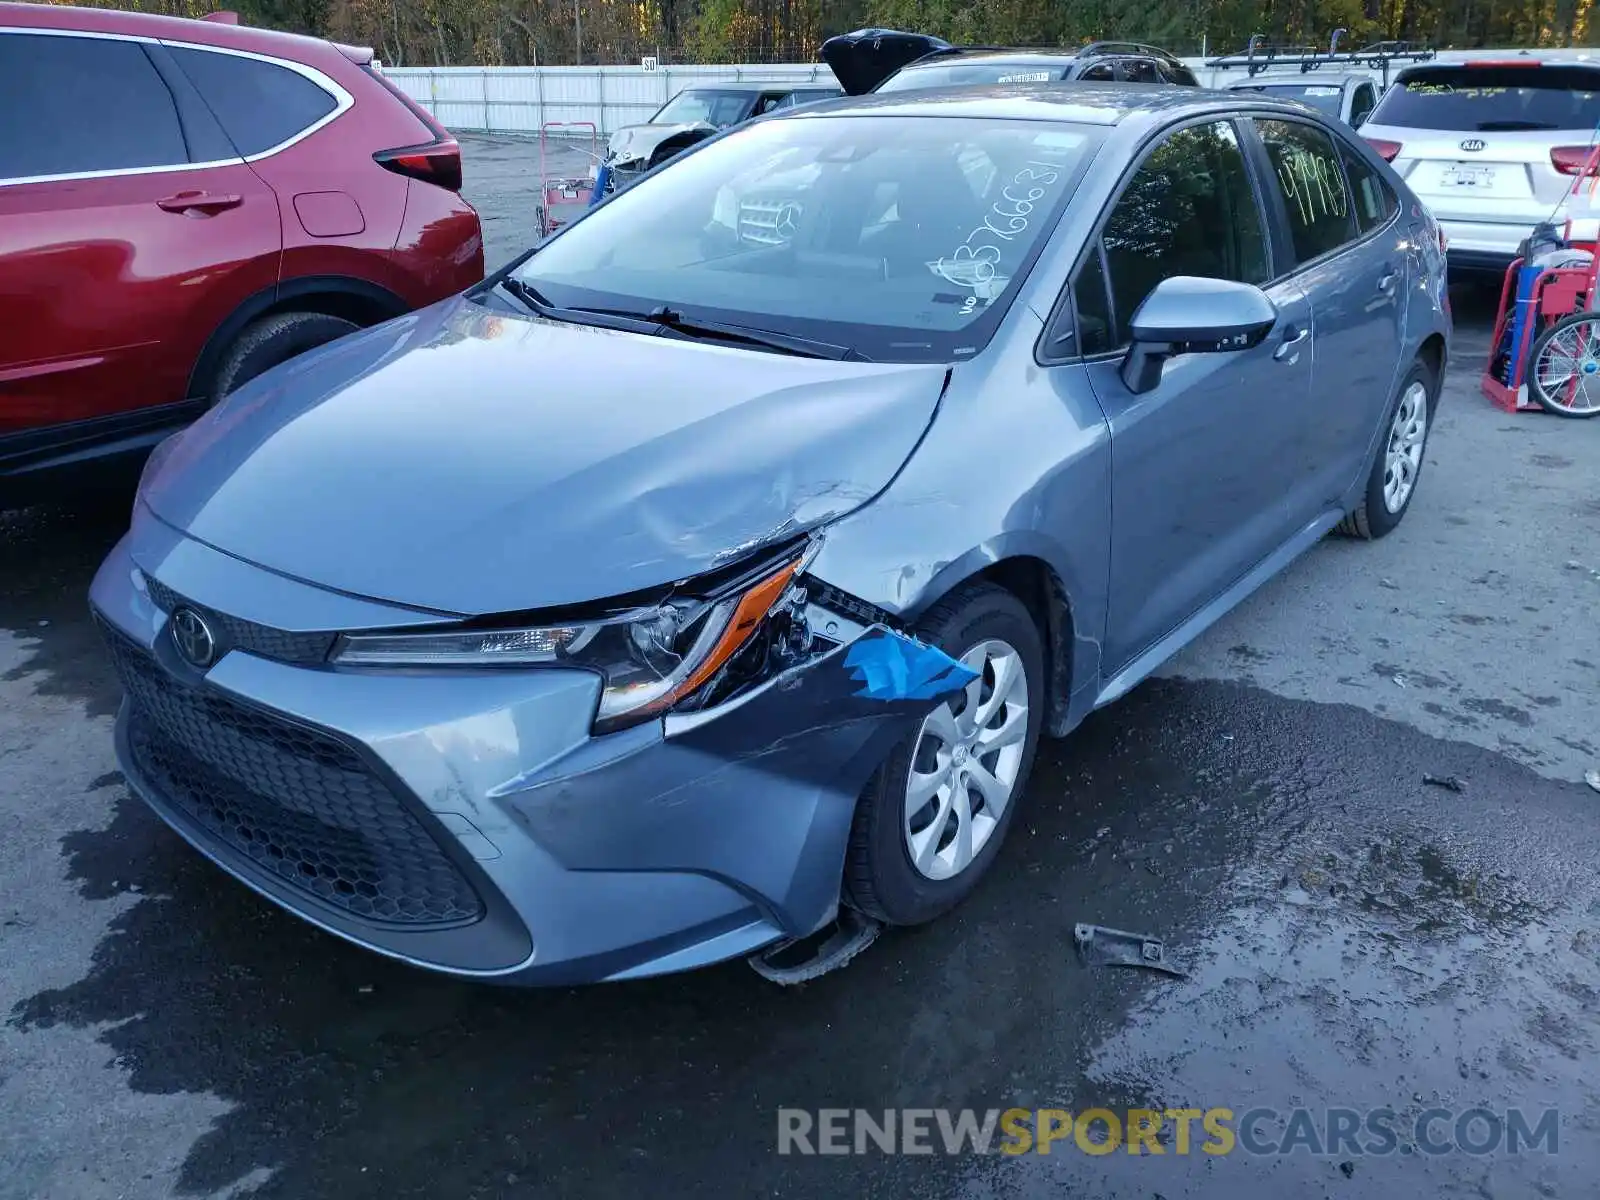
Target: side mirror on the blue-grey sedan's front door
1186 314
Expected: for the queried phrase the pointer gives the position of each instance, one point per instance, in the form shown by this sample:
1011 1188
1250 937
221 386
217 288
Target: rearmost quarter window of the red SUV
260 105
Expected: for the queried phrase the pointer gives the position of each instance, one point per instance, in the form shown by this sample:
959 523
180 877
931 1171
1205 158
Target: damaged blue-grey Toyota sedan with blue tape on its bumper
702 585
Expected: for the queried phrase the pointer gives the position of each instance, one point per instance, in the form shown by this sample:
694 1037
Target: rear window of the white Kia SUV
1494 98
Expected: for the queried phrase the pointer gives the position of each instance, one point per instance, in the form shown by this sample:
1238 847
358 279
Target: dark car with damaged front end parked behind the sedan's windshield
697 114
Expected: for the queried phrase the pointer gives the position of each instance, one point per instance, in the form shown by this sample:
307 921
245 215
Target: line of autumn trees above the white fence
562 33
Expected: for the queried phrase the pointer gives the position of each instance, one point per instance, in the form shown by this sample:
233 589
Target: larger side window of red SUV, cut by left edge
87 105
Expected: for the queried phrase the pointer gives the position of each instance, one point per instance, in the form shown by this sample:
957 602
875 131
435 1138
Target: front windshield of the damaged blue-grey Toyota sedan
900 238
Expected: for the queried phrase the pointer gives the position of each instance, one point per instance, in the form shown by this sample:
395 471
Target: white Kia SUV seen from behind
1490 146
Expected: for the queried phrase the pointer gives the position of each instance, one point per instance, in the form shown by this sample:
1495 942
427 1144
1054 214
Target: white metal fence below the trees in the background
519 100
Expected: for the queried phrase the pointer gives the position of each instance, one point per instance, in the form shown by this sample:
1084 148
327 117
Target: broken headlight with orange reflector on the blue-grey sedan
682 652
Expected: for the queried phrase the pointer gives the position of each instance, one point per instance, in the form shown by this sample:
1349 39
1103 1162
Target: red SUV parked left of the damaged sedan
183 206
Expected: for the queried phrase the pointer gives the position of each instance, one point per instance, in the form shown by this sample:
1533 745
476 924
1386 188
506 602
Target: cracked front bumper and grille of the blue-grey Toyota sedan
468 822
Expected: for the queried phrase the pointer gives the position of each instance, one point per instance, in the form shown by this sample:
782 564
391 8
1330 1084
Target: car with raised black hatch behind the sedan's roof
887 60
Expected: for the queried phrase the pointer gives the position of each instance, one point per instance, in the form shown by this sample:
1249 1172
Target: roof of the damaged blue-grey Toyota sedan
1082 103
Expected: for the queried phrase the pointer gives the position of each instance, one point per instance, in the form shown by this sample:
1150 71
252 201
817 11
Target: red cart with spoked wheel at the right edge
1546 346
